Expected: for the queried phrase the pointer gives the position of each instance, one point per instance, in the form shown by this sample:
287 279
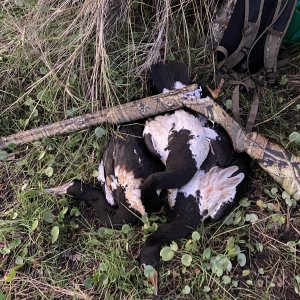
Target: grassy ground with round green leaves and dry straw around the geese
65 58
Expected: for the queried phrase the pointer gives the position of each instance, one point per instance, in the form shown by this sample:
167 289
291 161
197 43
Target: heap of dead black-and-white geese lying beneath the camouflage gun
183 153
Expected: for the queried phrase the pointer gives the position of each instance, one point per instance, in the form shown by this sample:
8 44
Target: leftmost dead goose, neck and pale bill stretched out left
126 163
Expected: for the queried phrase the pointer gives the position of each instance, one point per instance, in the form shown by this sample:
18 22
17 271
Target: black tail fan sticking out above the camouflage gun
172 75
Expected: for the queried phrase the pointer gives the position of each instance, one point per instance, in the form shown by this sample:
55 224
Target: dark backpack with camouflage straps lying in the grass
248 35
